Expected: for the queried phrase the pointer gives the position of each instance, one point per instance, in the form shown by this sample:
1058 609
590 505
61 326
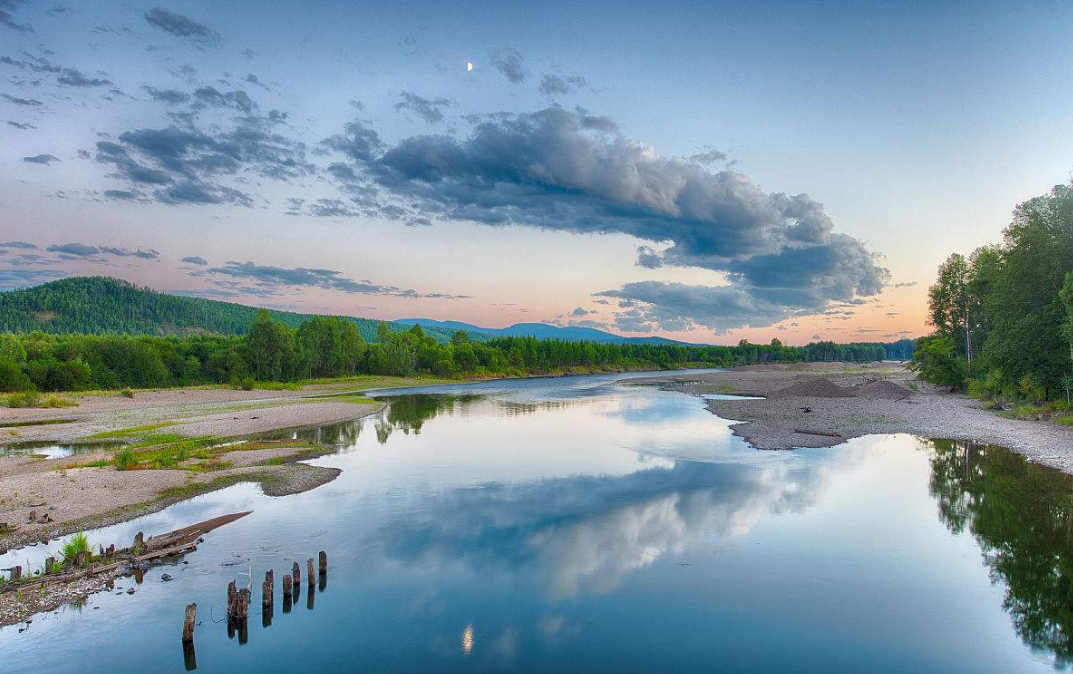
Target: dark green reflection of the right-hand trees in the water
1022 516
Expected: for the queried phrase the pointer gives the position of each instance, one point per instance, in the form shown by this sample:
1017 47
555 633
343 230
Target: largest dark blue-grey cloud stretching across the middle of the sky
574 172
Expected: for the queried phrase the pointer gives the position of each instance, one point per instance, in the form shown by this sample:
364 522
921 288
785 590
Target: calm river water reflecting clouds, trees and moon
574 525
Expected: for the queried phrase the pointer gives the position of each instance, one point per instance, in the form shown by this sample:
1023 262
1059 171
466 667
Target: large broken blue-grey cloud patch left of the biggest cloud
186 166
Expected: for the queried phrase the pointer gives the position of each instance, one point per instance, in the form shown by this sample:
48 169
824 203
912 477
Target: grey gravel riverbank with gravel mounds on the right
786 421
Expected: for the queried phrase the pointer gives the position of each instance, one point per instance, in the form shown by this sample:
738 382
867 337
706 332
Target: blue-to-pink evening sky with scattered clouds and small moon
703 171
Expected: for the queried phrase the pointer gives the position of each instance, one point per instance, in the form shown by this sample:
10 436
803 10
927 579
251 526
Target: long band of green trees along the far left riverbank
325 347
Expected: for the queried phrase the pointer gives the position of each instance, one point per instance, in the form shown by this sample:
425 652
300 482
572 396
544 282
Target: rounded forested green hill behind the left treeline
101 305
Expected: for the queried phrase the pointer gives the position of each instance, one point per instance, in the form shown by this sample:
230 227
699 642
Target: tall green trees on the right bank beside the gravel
1004 316
